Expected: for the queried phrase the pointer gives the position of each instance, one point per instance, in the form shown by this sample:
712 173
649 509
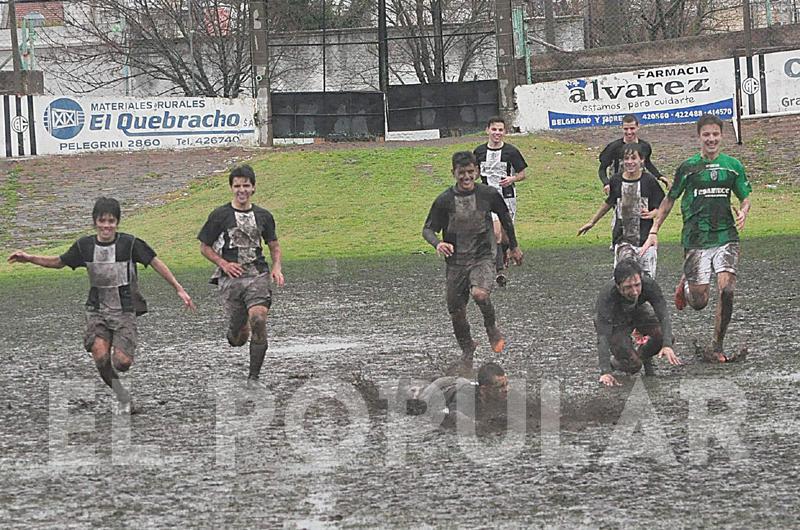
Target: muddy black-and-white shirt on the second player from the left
236 236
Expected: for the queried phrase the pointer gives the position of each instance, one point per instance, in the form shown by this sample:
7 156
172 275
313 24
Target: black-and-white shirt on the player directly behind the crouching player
628 197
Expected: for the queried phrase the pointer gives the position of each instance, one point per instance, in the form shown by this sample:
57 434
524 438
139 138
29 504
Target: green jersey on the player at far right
706 204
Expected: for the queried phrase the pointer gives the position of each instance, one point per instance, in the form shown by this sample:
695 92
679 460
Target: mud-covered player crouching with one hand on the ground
632 300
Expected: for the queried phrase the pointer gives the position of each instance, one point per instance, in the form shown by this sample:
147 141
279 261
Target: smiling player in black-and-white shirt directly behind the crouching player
635 196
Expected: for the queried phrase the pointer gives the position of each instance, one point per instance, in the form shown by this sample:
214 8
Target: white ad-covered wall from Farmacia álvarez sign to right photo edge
764 84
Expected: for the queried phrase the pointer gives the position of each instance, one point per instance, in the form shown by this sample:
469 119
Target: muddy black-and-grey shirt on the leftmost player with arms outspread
112 269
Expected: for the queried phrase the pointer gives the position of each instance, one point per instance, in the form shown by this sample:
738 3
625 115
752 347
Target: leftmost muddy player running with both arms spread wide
114 301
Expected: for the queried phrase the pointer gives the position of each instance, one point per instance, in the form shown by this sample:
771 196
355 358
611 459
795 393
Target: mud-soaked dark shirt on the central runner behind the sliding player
465 220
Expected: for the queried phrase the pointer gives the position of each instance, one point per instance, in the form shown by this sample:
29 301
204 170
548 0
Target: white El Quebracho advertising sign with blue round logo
75 125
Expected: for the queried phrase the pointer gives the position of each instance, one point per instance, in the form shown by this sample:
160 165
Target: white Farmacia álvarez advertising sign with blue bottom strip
669 94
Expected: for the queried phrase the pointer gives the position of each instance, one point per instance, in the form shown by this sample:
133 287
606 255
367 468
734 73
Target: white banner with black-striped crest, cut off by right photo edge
770 83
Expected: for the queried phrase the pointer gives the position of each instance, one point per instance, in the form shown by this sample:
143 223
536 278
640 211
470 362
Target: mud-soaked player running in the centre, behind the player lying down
462 213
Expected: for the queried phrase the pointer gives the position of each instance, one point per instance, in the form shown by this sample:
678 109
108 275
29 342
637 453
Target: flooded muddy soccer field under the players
696 446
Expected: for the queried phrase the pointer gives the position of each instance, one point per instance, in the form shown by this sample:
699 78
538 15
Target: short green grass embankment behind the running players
373 200
